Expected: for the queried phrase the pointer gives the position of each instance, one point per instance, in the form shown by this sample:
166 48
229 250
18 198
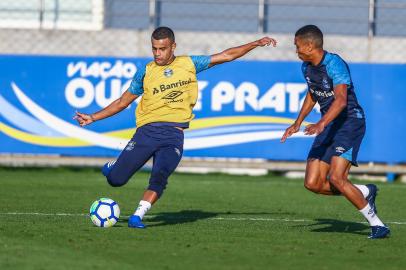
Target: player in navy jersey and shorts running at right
339 131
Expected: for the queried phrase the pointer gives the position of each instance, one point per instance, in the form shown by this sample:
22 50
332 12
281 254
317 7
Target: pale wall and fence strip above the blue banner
361 31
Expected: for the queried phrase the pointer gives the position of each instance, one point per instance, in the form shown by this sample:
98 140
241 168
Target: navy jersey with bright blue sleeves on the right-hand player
322 79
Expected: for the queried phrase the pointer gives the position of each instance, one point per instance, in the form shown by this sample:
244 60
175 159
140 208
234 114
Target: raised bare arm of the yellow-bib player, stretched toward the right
236 52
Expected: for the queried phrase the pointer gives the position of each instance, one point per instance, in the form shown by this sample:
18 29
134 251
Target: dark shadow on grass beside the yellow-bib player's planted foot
172 218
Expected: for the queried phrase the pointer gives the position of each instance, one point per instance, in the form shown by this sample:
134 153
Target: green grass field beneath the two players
202 222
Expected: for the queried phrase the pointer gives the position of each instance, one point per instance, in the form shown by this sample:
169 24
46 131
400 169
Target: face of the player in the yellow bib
163 51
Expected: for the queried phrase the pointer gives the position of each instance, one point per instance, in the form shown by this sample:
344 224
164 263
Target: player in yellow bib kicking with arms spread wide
168 87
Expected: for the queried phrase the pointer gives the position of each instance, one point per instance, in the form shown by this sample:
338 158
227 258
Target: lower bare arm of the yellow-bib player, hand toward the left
116 106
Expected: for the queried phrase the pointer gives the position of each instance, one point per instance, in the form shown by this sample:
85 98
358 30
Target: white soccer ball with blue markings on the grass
104 212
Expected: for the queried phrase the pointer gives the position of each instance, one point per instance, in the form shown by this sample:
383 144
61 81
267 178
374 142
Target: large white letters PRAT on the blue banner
248 94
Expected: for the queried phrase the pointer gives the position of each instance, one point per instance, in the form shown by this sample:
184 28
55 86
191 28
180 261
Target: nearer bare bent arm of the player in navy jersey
339 103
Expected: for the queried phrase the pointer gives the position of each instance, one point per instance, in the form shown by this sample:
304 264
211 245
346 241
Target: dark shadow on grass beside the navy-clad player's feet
338 226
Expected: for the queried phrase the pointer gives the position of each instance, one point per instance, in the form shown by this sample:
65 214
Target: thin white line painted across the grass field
180 218
